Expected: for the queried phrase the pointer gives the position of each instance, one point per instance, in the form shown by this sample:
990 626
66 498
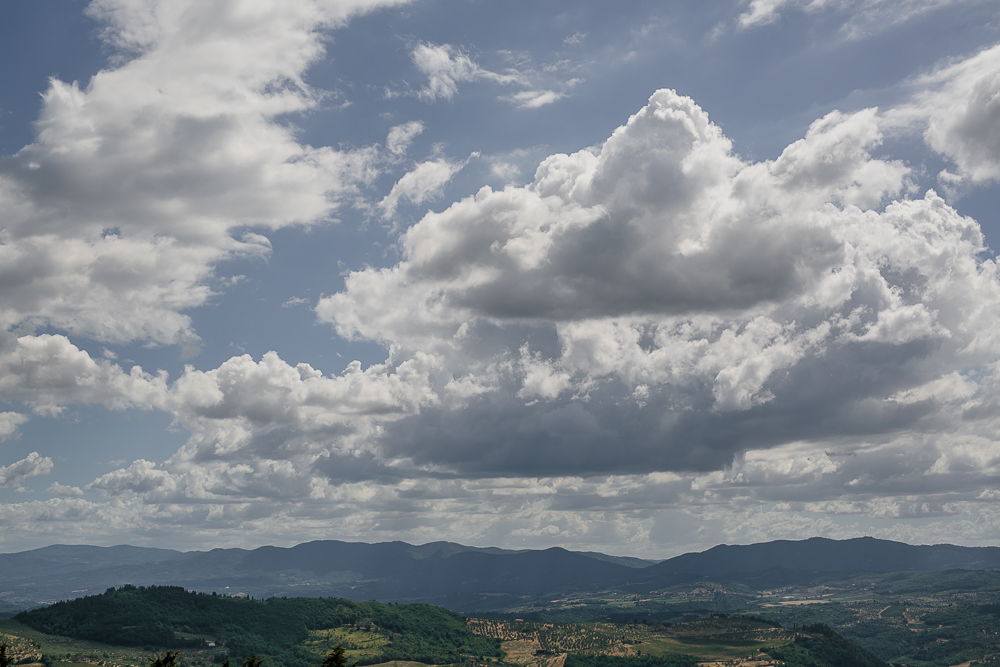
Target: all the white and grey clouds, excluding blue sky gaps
654 340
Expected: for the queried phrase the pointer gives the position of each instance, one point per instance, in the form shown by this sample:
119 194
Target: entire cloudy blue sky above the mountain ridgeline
639 278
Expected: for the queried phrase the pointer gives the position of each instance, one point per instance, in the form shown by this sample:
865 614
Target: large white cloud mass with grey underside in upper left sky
114 218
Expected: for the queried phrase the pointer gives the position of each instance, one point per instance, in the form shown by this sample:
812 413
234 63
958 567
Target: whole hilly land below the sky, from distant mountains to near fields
443 603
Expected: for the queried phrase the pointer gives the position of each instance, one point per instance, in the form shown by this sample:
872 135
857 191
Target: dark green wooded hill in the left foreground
170 617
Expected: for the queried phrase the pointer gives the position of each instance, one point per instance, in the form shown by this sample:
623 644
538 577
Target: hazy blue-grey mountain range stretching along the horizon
443 573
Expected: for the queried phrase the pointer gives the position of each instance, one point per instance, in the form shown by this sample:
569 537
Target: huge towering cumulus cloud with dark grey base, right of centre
658 303
